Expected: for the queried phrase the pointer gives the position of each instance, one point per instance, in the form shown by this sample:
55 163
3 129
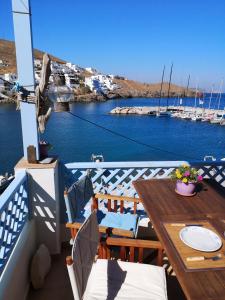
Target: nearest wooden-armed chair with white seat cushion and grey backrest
112 279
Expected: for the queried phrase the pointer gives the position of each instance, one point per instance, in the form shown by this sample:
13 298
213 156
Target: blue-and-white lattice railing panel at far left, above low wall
13 216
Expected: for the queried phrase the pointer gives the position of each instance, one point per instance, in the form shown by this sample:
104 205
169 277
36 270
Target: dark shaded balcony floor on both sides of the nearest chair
57 284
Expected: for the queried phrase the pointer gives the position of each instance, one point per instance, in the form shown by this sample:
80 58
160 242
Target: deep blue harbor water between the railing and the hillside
149 138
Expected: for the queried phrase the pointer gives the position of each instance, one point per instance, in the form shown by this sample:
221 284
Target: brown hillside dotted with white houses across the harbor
87 84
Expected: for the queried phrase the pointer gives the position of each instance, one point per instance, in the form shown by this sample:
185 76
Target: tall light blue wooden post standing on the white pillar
25 71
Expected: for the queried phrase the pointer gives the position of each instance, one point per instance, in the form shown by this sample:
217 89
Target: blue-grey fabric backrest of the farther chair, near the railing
77 197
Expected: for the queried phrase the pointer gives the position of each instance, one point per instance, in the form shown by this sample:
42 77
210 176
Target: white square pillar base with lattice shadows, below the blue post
44 195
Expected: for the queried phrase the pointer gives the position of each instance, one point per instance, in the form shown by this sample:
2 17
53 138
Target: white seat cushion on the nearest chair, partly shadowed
110 279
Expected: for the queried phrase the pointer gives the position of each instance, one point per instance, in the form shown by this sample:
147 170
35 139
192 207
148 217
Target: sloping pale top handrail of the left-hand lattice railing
10 191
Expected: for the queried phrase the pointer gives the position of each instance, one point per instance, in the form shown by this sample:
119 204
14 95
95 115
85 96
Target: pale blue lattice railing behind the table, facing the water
117 177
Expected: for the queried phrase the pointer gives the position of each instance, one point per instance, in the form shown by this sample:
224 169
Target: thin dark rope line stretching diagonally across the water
128 138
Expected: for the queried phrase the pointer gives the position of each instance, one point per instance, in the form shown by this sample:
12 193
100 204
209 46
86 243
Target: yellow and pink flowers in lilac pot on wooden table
186 180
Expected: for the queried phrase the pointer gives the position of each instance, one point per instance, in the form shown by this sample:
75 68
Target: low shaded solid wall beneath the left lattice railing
14 282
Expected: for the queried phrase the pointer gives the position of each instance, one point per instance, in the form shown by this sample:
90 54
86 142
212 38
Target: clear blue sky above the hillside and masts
132 38
